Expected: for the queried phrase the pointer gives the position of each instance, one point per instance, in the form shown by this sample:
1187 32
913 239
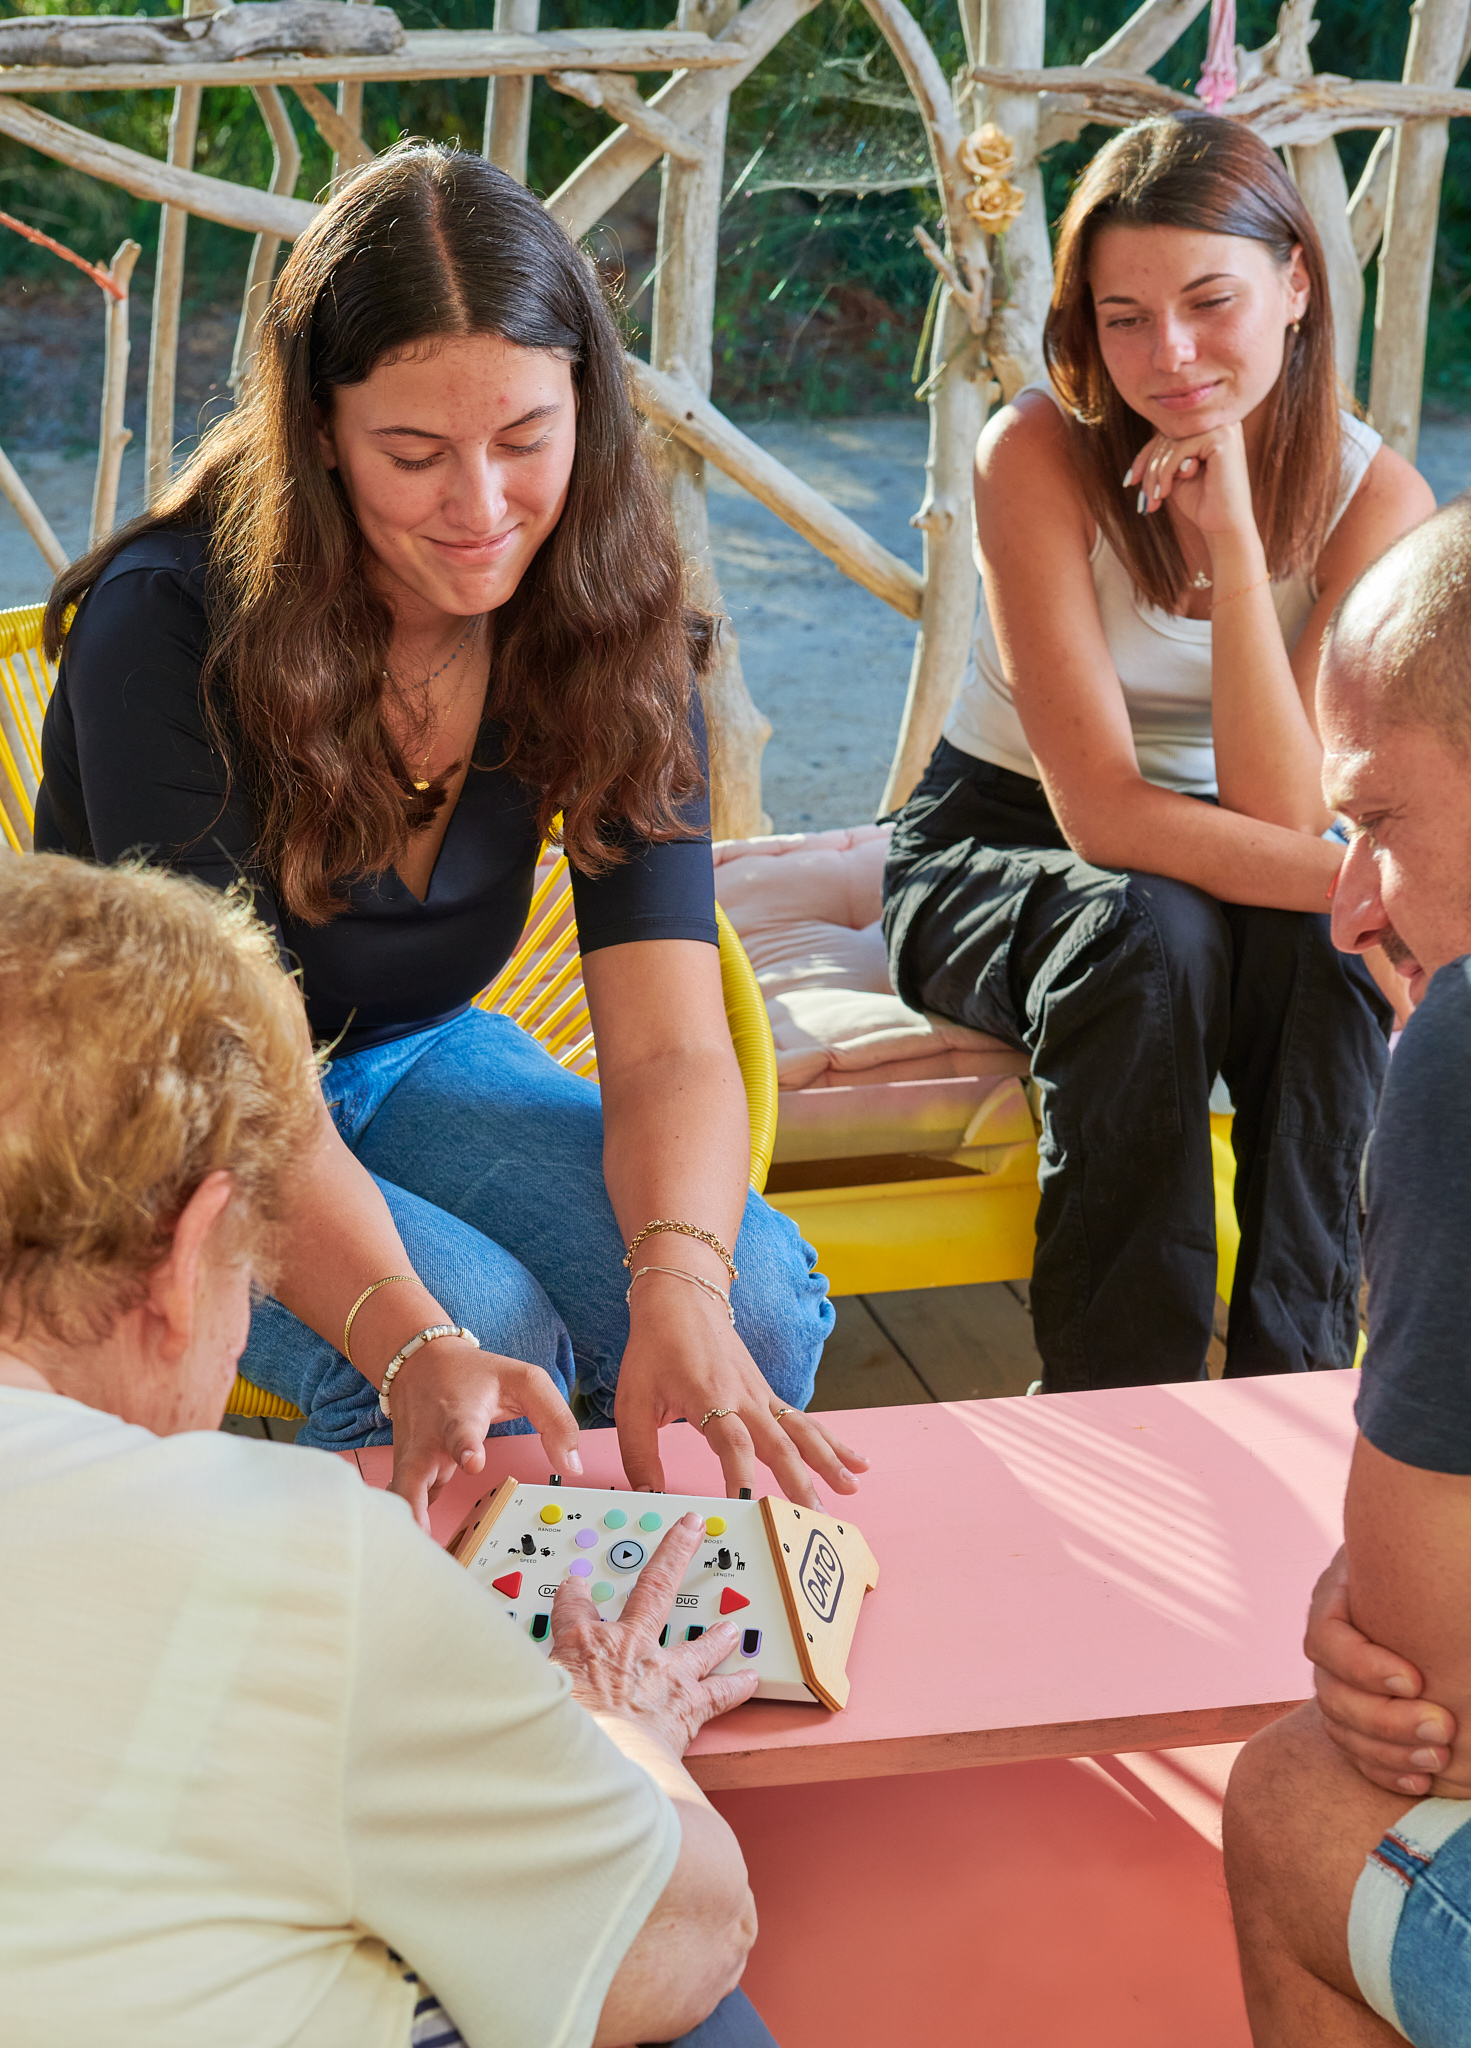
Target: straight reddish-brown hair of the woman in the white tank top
1214 177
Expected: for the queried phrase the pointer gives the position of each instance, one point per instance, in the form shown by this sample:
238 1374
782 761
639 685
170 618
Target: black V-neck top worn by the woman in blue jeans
128 767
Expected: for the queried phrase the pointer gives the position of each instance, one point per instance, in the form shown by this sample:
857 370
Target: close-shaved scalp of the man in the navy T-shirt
1404 630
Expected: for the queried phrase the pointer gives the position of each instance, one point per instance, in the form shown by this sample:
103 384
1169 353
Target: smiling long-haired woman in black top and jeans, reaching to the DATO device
411 601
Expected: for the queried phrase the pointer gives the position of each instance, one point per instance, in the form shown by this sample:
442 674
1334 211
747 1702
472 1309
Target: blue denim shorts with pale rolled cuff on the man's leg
1411 1926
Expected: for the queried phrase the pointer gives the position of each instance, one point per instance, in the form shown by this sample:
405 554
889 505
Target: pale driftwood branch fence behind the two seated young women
986 134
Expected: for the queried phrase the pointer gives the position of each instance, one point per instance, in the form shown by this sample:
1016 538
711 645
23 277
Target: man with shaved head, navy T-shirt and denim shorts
1349 1824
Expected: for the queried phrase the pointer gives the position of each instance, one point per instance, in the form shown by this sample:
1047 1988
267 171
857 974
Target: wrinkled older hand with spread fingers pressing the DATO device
618 1668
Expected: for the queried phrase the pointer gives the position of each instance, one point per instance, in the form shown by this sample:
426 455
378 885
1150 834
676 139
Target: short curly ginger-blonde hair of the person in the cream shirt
151 1039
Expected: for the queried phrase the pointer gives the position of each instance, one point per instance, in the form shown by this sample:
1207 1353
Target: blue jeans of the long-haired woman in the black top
491 1160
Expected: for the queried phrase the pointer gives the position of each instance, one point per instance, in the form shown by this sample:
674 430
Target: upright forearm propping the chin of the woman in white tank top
1267 753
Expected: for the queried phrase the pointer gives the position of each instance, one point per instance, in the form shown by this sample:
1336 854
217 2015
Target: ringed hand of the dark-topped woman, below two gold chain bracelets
685 1361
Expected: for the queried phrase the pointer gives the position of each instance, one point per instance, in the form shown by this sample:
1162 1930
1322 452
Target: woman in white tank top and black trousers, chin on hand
1118 853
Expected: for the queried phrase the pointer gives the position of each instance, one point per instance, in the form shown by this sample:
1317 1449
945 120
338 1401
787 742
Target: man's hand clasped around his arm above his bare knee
1370 1697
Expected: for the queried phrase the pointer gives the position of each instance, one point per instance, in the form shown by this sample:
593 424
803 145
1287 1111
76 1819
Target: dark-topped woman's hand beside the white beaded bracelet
446 1400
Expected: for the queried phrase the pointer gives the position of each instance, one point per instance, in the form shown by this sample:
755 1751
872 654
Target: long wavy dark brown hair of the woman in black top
595 654
